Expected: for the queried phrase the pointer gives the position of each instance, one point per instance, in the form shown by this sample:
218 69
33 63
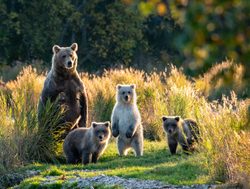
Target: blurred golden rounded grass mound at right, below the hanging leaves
222 79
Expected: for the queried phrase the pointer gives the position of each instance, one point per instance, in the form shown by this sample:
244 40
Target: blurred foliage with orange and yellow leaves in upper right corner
213 31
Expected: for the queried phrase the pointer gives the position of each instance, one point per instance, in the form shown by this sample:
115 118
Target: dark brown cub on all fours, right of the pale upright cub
180 131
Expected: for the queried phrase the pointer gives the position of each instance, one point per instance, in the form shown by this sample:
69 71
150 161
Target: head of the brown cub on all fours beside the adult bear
101 131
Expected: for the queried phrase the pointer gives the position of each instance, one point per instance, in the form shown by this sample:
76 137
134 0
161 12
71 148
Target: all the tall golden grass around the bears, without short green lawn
224 123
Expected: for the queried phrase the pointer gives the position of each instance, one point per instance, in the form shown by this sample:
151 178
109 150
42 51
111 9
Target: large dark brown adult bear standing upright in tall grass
64 84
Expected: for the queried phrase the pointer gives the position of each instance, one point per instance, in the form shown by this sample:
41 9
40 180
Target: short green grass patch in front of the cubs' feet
156 164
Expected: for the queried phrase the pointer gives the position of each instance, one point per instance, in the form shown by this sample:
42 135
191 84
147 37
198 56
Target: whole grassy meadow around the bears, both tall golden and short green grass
222 155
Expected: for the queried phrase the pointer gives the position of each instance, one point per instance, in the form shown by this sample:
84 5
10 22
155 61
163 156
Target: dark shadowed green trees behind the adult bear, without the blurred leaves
108 32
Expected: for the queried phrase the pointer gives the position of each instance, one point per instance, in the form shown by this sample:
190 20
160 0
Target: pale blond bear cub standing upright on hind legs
126 121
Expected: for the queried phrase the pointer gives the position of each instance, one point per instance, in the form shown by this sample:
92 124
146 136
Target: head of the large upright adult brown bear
65 57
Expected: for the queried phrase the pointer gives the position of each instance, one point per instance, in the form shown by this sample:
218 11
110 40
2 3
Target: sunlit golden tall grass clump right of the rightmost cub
224 131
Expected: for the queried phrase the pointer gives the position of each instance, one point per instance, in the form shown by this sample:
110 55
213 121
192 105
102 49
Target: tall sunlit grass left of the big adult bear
21 140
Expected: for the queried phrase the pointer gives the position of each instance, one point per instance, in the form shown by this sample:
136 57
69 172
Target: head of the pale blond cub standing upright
125 93
